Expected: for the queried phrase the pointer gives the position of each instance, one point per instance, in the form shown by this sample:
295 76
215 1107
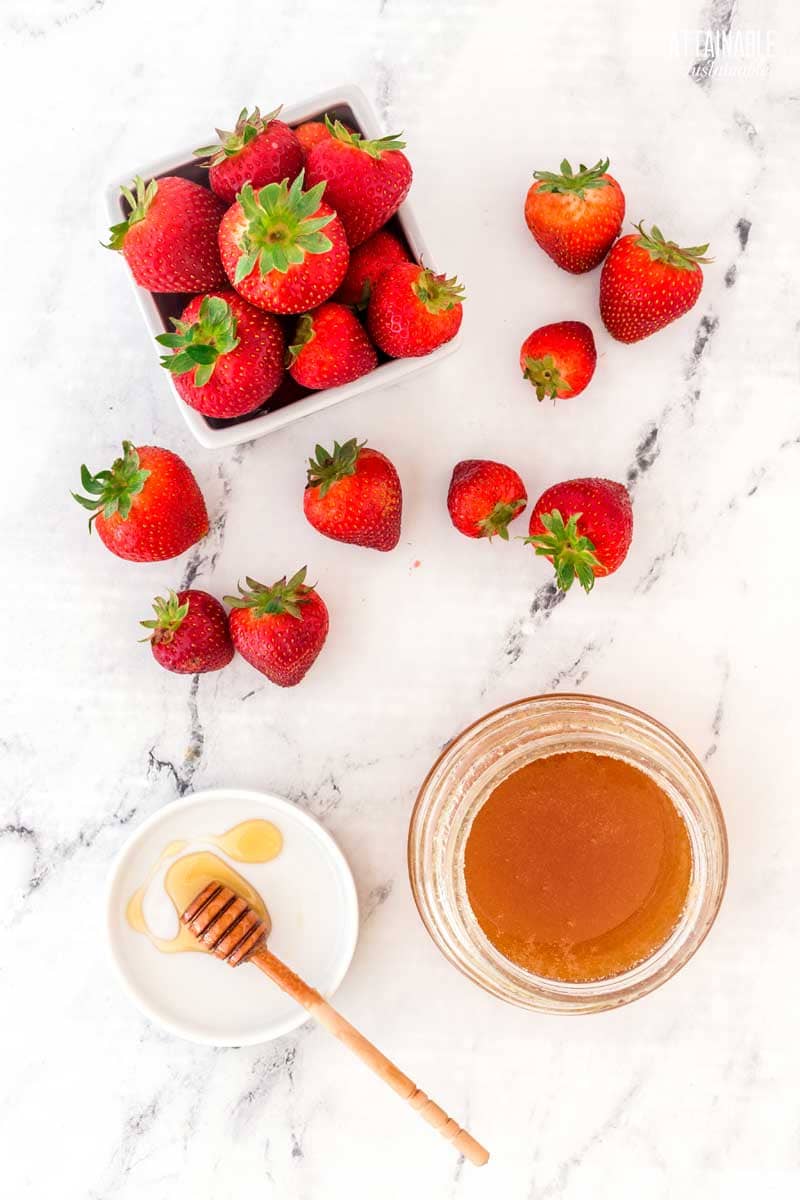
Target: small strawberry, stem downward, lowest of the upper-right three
560 359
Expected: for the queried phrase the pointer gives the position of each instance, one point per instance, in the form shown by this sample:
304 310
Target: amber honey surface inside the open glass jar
579 867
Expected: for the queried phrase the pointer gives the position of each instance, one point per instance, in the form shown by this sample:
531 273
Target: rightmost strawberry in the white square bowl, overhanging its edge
413 311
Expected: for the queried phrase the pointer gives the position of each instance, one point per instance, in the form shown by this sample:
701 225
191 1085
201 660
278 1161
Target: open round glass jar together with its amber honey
568 854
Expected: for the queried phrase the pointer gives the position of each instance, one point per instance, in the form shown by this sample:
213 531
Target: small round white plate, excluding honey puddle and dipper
309 891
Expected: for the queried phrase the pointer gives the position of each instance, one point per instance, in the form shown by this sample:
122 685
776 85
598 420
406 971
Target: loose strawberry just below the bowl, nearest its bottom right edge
354 495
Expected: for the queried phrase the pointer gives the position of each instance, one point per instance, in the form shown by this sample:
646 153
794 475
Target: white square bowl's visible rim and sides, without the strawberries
352 106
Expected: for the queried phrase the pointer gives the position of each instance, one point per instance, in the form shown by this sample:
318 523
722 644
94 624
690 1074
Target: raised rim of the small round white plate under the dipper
350 915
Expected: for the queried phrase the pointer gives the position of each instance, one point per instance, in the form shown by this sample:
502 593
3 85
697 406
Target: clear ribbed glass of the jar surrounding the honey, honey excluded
500 745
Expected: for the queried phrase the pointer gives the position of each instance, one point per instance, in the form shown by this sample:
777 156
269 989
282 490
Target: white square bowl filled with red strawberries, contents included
281 269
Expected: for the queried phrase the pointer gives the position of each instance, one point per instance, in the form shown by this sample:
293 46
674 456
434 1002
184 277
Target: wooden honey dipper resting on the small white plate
230 928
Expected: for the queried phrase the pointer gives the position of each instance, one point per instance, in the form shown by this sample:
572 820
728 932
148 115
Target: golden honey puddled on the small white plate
250 842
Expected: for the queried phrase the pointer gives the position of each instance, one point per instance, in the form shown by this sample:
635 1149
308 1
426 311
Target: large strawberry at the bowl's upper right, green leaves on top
368 181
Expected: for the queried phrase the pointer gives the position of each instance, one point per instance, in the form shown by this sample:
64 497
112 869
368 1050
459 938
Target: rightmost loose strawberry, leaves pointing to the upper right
647 283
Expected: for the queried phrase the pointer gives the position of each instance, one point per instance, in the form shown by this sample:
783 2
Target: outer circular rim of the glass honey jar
558 699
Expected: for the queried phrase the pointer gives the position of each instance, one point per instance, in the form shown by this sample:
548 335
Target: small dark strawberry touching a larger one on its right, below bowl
190 633
